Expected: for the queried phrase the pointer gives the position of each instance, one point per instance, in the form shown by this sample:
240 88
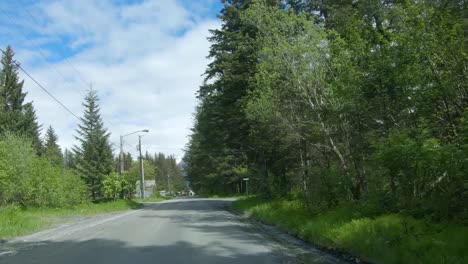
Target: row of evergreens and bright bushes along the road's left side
35 172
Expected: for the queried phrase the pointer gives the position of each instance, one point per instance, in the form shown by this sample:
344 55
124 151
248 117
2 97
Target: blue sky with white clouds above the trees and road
144 57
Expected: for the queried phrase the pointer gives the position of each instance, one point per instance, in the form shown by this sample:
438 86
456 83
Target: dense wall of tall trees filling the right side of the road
334 102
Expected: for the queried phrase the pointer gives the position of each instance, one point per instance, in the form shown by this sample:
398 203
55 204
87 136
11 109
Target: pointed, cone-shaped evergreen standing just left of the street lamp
94 154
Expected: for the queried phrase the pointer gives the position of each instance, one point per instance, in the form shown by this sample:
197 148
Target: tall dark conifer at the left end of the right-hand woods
221 125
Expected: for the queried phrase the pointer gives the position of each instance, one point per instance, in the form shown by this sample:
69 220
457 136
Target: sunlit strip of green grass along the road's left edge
16 221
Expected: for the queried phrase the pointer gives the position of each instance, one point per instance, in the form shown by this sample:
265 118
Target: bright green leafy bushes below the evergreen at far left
30 180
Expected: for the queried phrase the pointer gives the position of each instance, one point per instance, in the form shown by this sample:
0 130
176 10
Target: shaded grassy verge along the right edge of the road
390 238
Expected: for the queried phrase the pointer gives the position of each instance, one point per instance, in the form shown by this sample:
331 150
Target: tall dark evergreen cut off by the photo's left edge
16 115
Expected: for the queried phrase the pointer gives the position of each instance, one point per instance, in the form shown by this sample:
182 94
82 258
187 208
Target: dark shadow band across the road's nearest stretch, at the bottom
117 252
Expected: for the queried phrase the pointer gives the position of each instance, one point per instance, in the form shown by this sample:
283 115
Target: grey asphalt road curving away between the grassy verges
175 231
